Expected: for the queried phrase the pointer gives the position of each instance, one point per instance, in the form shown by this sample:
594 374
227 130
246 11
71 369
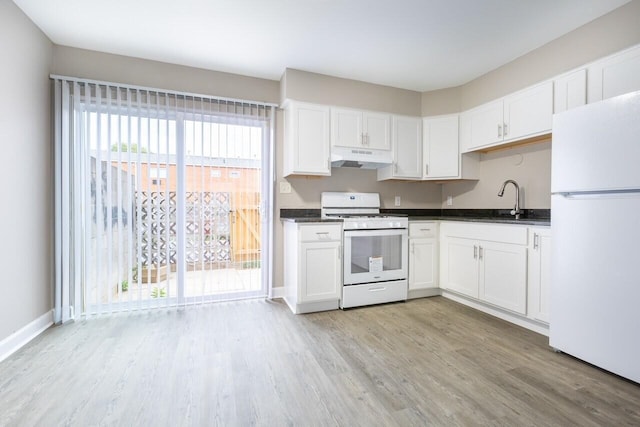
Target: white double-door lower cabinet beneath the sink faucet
486 262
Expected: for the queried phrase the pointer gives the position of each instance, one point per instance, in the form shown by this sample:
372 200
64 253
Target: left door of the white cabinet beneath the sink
460 266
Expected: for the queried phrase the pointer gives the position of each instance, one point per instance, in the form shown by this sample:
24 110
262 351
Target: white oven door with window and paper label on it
374 255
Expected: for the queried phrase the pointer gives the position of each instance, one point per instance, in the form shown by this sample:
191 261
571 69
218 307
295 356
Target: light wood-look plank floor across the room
425 362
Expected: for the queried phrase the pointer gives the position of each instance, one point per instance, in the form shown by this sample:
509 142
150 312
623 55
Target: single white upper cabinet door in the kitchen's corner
441 151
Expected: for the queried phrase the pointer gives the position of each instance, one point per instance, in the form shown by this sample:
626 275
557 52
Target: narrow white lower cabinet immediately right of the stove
423 259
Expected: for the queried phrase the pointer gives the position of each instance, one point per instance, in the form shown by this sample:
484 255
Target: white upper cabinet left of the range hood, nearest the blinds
306 140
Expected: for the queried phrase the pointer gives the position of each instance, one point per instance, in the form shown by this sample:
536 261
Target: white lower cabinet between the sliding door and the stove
312 266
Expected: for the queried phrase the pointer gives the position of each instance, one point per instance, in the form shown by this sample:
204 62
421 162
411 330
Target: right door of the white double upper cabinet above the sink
528 112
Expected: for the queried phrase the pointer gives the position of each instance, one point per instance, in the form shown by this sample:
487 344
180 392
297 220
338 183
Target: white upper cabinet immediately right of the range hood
406 140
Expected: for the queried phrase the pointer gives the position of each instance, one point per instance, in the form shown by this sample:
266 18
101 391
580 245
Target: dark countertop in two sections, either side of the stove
537 217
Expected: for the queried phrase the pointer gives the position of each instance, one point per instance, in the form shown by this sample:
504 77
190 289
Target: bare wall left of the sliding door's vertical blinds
26 217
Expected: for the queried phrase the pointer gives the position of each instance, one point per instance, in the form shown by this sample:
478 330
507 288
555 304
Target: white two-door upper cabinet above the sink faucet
521 115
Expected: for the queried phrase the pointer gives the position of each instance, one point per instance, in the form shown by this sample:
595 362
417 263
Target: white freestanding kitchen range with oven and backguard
375 258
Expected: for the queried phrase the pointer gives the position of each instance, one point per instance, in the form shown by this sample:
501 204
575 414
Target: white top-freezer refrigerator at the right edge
595 224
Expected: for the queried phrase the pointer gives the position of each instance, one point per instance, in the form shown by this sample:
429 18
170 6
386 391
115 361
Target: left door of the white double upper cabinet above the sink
485 124
